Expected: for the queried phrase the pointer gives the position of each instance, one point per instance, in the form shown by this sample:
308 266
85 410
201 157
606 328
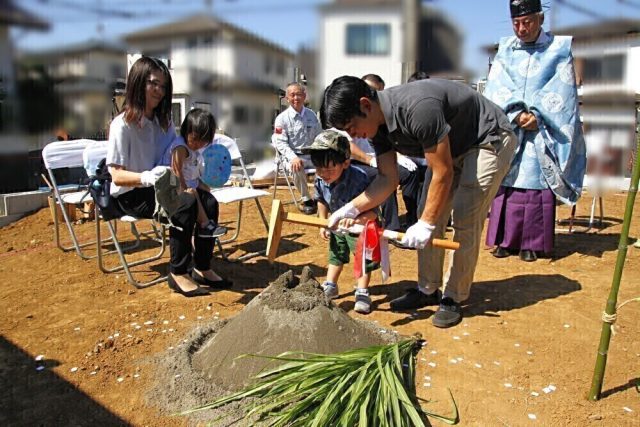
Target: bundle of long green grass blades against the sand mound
373 386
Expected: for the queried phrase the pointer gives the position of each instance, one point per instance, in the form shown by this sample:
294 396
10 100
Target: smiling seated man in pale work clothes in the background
294 129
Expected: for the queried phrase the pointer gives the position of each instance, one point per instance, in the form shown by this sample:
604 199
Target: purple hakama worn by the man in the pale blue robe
522 220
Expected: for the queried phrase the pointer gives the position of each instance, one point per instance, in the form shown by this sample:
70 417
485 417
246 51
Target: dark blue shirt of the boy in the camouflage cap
351 183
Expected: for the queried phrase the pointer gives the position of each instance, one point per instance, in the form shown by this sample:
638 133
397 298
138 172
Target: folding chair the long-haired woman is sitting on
92 156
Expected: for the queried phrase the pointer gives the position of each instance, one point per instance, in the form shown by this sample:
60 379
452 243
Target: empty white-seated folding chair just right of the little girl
241 189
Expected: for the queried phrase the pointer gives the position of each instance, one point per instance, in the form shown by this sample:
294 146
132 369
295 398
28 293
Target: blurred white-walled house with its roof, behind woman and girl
225 69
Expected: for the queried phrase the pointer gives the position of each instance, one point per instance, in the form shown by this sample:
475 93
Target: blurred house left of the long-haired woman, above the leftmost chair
85 76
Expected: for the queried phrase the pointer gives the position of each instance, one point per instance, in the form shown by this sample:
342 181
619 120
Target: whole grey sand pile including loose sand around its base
291 314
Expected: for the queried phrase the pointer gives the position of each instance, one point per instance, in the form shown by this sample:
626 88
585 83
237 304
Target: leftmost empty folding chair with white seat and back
58 155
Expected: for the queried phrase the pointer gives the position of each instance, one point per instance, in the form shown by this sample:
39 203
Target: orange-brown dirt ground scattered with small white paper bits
78 347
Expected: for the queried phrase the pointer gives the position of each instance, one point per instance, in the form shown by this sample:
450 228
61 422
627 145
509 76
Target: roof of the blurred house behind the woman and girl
197 25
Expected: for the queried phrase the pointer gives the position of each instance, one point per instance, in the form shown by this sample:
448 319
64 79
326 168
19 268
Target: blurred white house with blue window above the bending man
392 38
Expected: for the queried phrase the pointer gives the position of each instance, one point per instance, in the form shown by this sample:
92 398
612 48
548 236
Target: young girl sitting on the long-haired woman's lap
196 133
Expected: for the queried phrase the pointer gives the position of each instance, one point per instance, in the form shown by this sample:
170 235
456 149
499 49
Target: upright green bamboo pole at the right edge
610 310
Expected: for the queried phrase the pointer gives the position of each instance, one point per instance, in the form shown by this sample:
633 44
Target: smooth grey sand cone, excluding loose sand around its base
290 315
